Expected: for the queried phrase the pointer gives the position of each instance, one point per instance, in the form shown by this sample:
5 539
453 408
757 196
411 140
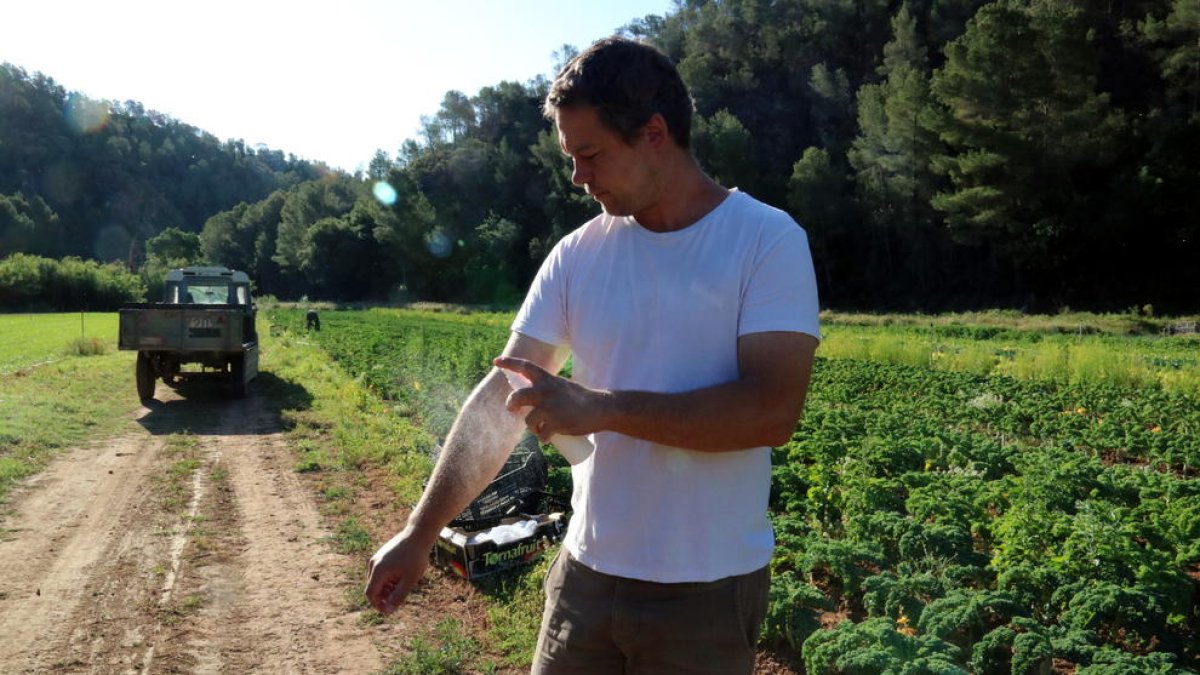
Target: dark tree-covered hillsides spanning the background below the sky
981 153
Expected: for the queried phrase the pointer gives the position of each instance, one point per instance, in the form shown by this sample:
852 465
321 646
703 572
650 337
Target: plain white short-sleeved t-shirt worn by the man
663 313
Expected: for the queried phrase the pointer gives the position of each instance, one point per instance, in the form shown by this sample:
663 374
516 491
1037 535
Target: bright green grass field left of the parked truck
32 339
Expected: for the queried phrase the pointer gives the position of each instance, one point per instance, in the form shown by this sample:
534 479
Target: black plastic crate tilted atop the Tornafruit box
518 489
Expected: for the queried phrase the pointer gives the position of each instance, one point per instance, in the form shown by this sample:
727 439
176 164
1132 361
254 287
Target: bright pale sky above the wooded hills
332 81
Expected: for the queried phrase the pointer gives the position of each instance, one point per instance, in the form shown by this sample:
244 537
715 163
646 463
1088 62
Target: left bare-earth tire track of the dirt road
65 547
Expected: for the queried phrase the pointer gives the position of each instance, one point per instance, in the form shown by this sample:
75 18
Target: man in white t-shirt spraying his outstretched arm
692 316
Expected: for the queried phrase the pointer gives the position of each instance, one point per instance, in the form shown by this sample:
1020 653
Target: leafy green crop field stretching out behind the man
980 513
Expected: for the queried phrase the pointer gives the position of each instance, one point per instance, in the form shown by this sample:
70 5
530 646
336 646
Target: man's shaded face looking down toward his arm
614 174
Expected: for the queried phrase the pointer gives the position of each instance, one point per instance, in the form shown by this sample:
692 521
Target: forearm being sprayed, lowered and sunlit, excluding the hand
476 450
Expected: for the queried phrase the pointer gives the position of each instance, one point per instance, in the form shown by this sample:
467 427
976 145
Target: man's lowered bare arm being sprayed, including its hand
479 441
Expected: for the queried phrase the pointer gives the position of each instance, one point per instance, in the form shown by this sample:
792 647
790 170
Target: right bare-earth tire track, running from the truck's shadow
278 605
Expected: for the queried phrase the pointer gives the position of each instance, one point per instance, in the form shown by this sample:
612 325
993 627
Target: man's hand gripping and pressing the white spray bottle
557 405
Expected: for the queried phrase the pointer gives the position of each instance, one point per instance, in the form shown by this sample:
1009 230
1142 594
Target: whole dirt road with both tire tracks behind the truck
188 546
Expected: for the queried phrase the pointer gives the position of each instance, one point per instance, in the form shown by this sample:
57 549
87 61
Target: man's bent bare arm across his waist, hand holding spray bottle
761 408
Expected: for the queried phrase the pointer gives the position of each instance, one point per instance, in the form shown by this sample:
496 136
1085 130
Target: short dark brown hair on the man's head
627 82
